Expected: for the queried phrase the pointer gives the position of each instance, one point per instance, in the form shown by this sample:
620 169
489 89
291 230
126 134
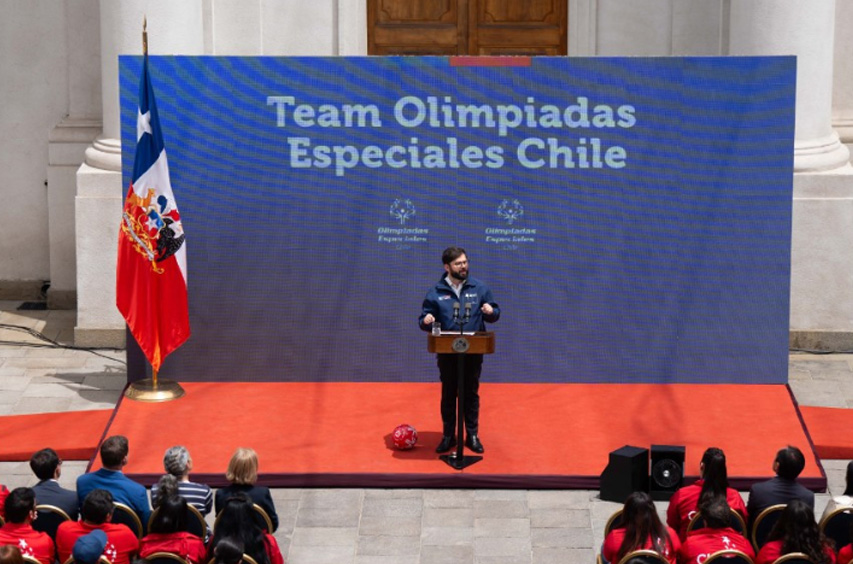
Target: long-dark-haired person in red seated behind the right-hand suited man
796 531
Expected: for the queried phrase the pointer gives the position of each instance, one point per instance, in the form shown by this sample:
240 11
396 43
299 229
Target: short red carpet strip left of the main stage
74 435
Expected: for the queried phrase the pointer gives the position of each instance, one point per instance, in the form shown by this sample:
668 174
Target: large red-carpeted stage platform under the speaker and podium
536 435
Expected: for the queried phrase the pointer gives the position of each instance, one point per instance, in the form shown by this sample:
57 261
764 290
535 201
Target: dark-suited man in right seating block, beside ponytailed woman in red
782 488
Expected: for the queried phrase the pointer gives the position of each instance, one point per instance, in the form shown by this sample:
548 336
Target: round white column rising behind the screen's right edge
804 29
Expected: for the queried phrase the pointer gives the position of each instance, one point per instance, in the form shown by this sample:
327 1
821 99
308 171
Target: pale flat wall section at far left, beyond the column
33 99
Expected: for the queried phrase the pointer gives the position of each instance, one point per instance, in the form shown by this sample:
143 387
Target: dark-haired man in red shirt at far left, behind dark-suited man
20 507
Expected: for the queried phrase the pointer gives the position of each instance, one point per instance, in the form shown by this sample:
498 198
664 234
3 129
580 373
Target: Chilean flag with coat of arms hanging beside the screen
151 277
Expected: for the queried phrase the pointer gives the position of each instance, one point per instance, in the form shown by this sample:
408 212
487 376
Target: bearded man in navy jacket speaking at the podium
459 299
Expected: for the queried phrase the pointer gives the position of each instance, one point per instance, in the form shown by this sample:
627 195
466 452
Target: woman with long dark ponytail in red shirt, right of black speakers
713 483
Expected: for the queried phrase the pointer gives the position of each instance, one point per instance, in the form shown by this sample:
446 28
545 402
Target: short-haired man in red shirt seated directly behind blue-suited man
96 513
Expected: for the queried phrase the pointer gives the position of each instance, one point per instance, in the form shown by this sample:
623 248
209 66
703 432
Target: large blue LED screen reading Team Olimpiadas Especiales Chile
632 215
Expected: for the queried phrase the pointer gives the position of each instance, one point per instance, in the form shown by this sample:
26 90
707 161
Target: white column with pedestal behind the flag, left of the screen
174 28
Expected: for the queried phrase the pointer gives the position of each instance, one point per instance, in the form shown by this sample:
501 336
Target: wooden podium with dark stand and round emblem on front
460 344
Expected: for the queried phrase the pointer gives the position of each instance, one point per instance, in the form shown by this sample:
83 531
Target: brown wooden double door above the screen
467 27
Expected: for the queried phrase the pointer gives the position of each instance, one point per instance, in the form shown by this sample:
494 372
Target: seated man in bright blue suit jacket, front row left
113 458
